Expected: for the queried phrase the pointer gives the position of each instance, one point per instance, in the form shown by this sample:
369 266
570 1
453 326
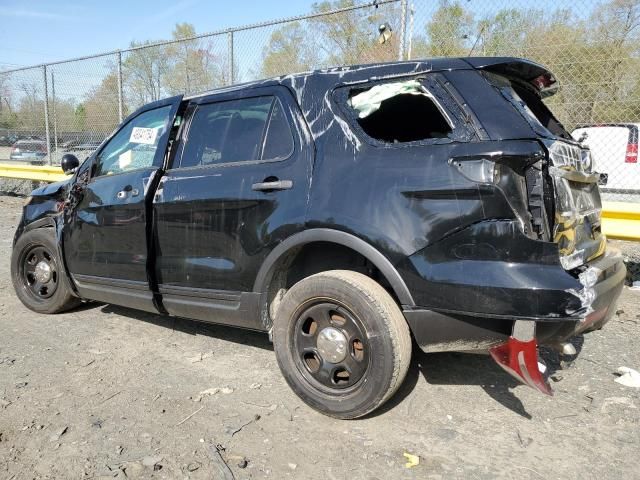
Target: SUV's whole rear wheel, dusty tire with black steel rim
342 343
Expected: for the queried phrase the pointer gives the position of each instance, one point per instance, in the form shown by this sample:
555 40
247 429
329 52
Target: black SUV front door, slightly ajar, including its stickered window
105 236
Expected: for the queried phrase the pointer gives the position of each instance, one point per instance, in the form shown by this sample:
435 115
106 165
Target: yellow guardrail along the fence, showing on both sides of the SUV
620 220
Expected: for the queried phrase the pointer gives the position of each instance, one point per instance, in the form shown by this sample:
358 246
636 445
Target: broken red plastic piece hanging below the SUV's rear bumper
520 360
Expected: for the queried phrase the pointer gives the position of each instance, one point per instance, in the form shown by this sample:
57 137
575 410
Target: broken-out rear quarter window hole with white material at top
399 112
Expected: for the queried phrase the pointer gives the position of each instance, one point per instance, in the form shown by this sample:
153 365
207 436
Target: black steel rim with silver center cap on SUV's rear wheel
330 346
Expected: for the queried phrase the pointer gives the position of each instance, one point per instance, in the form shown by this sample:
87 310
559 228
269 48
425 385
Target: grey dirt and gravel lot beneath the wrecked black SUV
109 392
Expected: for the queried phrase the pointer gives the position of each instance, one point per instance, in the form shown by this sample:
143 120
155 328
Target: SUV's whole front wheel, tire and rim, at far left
37 273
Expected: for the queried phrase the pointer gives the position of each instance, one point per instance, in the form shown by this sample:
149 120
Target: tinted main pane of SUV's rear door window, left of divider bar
227 132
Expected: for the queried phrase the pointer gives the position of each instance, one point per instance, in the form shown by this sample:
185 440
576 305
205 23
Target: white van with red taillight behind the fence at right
614 147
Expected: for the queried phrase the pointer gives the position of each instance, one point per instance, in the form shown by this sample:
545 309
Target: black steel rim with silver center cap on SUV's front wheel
39 272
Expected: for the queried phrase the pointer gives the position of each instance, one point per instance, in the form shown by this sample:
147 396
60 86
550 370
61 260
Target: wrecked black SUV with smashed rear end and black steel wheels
345 212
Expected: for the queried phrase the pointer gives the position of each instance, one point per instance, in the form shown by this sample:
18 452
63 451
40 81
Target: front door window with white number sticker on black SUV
134 146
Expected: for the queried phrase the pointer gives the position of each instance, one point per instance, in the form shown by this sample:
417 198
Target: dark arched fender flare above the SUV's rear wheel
365 249
